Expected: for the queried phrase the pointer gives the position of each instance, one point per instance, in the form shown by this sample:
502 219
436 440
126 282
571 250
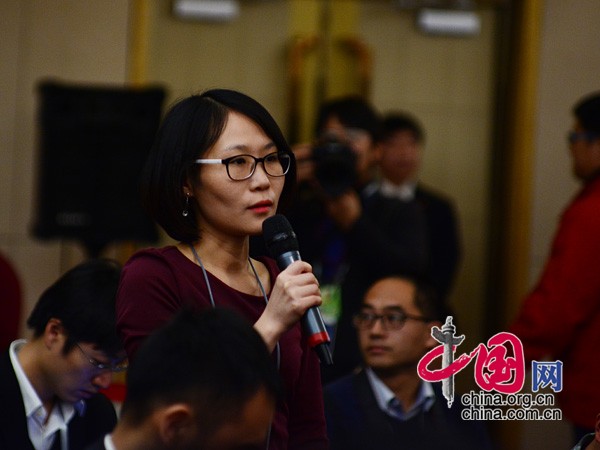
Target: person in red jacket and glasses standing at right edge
560 318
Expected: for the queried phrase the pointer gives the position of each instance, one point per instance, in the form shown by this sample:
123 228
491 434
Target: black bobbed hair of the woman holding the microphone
189 129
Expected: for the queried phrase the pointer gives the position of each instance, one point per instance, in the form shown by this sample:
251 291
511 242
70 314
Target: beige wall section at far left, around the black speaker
66 39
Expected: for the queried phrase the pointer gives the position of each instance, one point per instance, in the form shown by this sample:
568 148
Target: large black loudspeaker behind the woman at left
93 143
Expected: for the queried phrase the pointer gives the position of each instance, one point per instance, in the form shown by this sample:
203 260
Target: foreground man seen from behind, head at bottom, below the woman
205 381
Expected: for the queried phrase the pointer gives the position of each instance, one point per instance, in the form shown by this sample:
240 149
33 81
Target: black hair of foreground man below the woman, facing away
213 359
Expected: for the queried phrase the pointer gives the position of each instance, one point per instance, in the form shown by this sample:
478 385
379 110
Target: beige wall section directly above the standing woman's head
247 54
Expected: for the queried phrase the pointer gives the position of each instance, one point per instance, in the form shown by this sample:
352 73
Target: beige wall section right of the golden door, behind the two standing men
447 82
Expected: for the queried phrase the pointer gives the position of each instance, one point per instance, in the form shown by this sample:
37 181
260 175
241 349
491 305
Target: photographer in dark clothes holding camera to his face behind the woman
349 233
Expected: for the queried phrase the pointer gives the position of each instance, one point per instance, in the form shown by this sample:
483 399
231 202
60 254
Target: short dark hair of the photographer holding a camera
352 111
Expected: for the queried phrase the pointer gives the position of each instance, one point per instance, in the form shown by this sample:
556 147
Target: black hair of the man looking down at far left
83 299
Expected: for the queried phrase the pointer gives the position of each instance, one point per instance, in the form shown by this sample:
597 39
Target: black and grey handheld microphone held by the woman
282 244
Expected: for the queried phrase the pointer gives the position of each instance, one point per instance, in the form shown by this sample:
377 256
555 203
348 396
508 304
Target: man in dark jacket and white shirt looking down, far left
49 385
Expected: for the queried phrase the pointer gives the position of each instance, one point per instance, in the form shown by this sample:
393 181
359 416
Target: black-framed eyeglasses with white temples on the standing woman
242 167
